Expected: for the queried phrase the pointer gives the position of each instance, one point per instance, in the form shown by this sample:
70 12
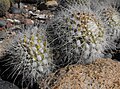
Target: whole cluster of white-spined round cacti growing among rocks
80 33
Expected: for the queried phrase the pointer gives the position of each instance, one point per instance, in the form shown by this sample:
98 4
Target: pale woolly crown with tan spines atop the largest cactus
86 26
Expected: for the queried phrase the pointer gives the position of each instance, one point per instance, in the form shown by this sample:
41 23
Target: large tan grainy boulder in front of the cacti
101 74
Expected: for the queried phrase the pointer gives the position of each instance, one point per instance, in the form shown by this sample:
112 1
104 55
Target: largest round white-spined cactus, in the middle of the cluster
85 38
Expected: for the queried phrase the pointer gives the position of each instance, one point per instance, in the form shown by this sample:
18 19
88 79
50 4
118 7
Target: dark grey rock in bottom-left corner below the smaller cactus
7 85
